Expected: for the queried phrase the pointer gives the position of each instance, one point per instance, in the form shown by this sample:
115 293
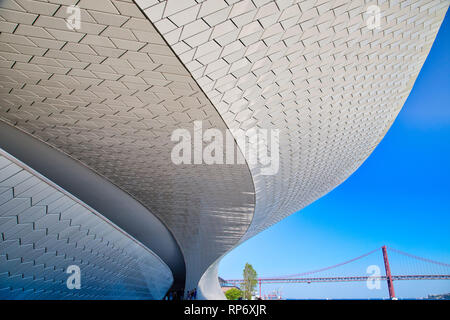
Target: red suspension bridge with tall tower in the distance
411 267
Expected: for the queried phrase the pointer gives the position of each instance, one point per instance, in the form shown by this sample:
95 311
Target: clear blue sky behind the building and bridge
399 197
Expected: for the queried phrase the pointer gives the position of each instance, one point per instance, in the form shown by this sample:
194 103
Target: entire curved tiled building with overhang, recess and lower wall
87 116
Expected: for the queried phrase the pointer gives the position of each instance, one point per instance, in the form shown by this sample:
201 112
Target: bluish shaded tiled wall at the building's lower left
43 231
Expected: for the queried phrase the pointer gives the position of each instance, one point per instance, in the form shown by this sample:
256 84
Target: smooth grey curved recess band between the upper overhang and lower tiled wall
98 193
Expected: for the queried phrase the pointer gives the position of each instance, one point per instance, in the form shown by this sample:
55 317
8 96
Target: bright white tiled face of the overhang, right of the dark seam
309 68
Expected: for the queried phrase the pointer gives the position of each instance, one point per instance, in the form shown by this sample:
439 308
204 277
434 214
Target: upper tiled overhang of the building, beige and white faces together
111 93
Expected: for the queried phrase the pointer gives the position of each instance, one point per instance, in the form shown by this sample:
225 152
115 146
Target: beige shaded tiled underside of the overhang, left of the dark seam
110 95
